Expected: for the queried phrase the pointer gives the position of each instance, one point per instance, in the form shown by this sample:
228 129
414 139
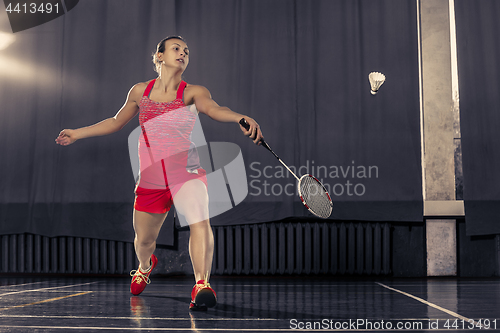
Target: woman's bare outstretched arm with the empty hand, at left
109 125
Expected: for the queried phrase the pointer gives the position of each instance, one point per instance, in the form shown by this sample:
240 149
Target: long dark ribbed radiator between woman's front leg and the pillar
303 248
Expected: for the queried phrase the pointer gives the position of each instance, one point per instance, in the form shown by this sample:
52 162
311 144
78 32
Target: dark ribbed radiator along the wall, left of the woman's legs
27 253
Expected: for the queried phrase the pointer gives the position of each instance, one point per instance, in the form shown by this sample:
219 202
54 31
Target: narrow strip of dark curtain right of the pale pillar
478 33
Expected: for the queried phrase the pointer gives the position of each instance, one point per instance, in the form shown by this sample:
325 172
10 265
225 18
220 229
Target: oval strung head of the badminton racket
315 196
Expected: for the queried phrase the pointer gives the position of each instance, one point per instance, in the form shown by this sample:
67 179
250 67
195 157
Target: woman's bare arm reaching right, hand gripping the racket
205 104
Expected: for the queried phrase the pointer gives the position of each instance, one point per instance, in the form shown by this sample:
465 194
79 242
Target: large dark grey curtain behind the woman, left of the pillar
300 68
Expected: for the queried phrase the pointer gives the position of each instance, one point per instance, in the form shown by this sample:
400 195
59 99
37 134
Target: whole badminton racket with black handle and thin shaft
312 193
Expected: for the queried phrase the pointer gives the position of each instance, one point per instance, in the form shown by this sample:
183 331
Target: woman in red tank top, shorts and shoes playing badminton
169 169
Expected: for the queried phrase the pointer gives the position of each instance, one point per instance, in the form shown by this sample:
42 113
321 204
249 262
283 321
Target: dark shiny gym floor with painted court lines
250 304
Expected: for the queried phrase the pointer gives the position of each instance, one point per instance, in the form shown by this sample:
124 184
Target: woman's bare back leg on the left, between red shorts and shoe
146 226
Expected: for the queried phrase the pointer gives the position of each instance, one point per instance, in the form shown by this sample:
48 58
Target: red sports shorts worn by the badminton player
159 201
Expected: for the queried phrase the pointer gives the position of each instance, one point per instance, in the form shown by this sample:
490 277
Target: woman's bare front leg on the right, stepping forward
192 202
